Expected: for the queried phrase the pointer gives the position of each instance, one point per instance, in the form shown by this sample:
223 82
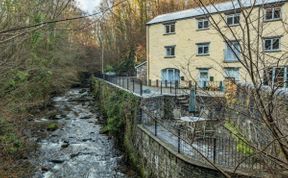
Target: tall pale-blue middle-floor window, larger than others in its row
232 51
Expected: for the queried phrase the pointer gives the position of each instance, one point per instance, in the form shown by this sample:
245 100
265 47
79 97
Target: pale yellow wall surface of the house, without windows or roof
187 35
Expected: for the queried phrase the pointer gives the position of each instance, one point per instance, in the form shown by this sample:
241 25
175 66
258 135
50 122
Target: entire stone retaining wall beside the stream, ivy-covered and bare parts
148 154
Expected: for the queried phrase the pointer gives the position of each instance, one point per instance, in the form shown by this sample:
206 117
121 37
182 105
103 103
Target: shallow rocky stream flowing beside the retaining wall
77 149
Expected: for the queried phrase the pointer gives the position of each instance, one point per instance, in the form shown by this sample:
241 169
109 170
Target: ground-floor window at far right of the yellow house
276 76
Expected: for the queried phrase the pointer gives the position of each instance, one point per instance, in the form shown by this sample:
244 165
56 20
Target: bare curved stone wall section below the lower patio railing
163 162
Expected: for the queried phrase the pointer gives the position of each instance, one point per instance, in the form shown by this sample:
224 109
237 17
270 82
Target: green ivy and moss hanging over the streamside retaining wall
121 109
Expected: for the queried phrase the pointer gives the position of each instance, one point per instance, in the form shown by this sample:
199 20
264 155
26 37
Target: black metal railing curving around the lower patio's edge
225 152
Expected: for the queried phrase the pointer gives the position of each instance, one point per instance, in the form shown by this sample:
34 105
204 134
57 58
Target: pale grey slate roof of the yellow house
221 7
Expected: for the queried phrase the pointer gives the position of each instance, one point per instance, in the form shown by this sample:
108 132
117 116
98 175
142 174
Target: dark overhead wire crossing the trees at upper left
60 20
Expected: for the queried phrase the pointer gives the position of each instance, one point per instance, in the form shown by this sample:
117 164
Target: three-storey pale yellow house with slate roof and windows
184 45
